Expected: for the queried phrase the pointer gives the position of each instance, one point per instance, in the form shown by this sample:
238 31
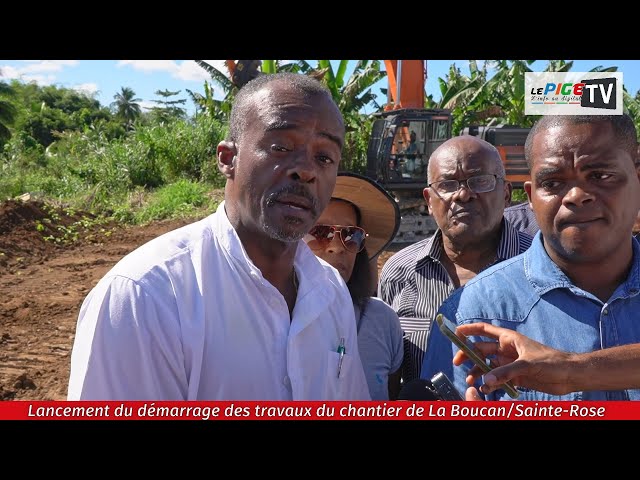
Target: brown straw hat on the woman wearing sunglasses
380 214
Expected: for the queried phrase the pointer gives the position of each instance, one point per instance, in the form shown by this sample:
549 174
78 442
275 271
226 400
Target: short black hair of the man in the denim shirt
623 128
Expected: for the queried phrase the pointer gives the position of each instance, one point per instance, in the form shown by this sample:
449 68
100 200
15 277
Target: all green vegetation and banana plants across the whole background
133 166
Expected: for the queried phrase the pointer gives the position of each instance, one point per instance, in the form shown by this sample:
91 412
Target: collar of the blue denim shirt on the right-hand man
545 275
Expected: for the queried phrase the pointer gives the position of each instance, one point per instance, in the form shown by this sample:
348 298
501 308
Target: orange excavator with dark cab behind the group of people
405 135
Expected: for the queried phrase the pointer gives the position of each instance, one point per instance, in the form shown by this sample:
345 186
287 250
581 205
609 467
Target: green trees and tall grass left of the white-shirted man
67 148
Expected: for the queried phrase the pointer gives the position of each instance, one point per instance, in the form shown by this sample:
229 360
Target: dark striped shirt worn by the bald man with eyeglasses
415 283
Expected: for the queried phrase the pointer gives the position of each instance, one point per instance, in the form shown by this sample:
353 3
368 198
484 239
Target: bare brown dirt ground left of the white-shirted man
43 283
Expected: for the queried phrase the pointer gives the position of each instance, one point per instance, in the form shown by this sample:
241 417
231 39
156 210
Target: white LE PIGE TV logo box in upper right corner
573 93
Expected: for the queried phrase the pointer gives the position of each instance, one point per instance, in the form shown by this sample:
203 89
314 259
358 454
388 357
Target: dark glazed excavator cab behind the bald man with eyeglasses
402 142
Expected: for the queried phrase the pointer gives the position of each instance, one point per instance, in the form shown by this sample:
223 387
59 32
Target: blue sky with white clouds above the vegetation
104 78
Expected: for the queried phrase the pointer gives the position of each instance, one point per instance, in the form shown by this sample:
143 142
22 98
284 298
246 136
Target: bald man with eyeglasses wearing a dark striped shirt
466 194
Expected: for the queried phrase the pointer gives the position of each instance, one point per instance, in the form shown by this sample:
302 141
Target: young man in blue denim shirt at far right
577 287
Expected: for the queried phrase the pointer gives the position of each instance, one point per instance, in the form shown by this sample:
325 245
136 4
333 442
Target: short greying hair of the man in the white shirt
242 103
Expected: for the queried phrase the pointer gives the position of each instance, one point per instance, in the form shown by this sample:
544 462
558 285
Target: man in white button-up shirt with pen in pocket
235 306
